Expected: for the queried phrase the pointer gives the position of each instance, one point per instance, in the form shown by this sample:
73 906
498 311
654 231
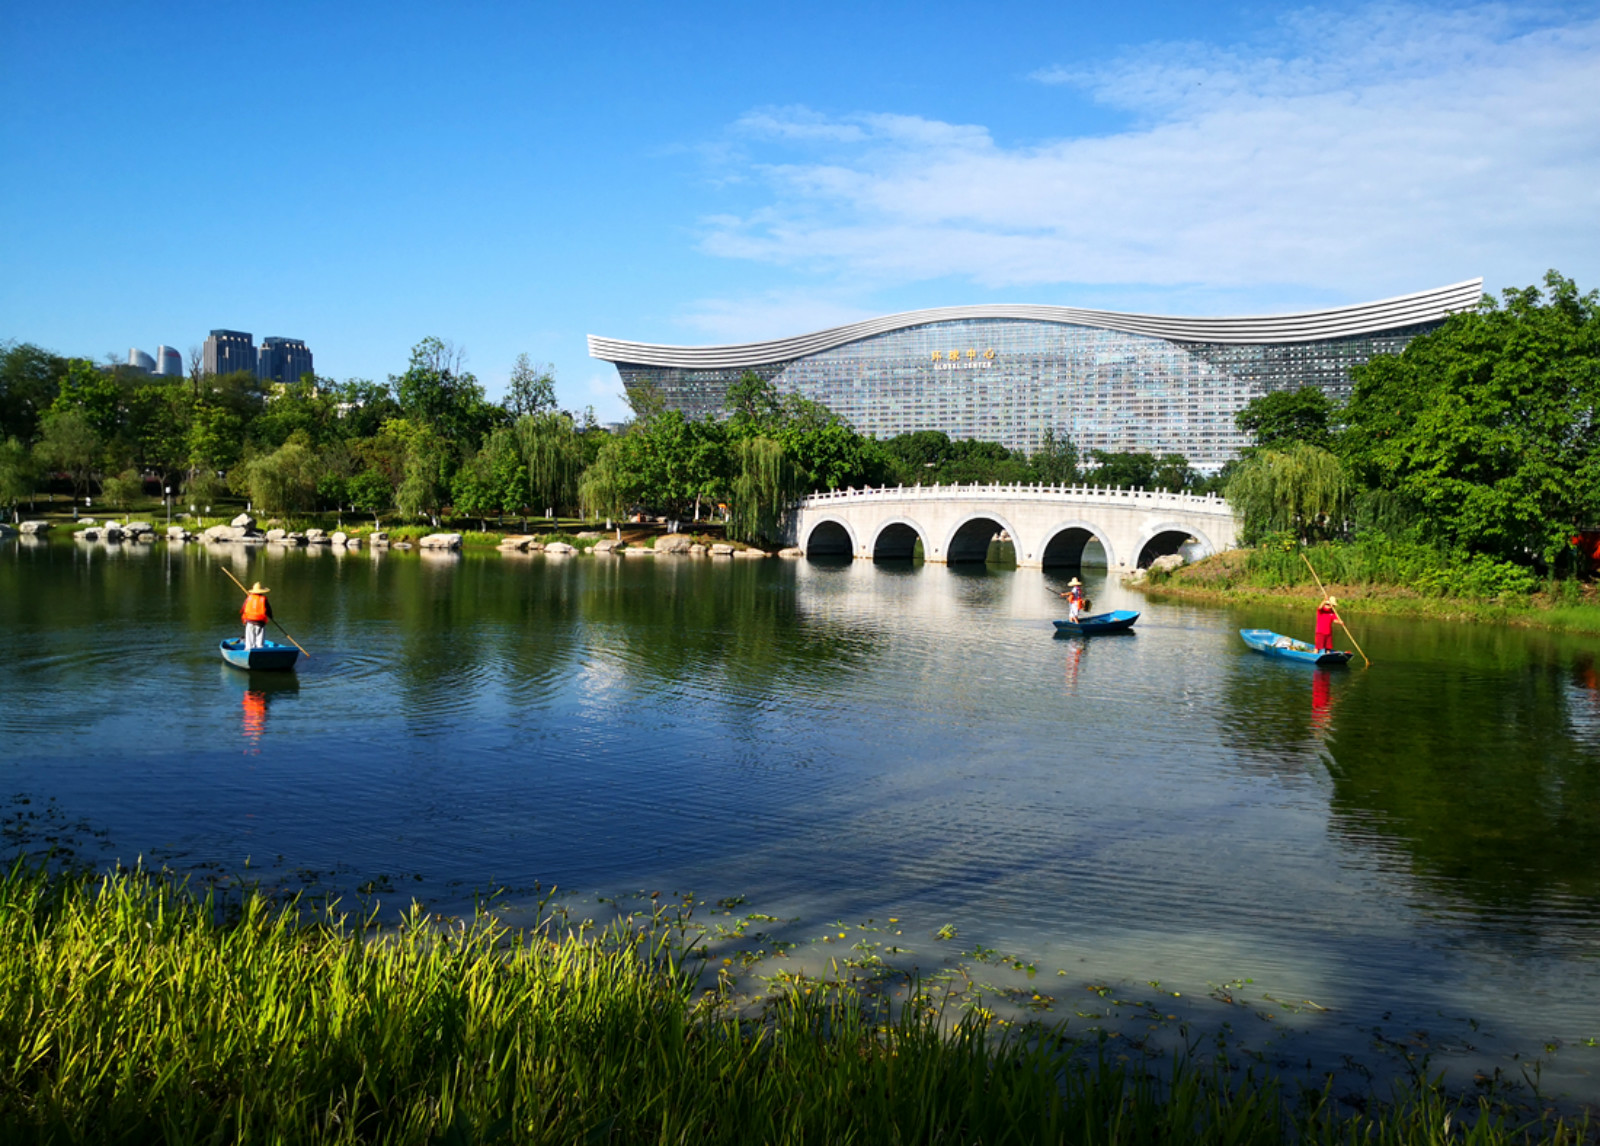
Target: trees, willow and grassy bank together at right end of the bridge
1465 468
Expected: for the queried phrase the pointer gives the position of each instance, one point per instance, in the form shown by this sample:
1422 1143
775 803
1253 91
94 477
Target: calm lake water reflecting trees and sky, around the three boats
1351 872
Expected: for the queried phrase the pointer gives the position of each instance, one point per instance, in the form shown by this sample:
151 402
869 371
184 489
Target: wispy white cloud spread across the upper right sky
1372 153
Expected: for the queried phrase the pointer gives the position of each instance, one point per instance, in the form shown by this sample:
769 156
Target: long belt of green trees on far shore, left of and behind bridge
428 446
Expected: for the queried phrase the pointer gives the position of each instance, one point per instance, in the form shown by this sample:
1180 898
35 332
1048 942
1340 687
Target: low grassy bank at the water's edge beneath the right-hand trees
1386 579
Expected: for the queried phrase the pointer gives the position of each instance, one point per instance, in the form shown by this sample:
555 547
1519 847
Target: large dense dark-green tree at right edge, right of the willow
1490 427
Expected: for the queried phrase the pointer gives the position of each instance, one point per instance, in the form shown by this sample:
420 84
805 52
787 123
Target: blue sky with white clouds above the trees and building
516 177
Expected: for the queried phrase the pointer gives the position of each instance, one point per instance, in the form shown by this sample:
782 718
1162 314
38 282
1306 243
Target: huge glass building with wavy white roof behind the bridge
1009 374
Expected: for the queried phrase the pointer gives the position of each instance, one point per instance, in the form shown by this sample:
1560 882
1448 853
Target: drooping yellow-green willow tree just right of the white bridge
1300 491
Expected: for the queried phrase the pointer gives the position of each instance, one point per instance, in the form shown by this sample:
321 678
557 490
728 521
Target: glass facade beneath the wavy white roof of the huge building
1004 380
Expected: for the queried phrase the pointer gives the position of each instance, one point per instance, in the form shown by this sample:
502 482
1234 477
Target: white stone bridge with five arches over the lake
1046 524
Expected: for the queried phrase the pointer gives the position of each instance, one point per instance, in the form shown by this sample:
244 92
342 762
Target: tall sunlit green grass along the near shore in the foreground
134 1012
